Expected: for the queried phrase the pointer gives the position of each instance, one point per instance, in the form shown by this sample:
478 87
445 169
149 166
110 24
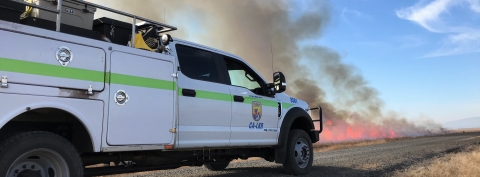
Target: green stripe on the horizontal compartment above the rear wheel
43 69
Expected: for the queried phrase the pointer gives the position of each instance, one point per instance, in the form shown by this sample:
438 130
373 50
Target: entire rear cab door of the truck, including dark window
204 101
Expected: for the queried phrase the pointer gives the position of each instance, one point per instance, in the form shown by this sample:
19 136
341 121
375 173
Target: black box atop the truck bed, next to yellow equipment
117 31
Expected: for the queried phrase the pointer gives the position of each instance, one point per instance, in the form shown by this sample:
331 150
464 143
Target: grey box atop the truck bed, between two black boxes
73 13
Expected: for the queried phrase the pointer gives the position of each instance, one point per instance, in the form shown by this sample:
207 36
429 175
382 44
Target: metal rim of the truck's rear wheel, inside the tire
39 163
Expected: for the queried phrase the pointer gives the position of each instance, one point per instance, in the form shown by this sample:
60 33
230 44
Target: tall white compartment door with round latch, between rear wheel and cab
141 108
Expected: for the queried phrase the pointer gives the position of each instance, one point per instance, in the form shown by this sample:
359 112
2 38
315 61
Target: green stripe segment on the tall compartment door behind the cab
141 81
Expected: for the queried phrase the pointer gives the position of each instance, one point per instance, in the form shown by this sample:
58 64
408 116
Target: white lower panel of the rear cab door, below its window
203 122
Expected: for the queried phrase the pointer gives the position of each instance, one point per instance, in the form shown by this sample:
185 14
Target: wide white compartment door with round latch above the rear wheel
24 56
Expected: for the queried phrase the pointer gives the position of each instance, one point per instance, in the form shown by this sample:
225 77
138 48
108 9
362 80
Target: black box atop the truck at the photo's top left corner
11 11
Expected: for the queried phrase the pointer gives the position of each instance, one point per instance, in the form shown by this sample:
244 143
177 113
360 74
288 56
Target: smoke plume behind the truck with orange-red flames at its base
251 29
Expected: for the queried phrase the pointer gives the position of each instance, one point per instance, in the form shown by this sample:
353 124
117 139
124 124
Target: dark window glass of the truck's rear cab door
197 64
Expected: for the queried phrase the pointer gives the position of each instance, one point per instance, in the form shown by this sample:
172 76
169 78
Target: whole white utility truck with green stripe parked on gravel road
69 102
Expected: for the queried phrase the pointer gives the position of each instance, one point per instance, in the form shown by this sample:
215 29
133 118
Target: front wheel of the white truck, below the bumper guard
299 156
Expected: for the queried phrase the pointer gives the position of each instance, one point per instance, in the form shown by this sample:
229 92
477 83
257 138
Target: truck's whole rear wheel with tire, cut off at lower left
39 153
